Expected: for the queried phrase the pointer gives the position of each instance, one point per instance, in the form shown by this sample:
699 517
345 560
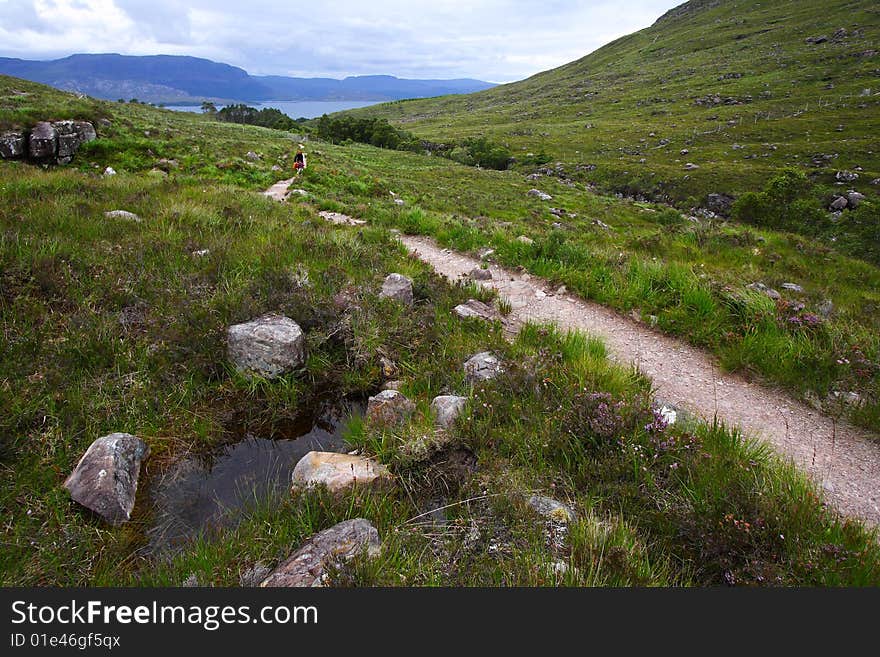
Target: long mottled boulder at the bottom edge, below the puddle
331 547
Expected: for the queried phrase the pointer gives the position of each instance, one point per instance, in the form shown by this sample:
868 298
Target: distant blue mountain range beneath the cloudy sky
172 79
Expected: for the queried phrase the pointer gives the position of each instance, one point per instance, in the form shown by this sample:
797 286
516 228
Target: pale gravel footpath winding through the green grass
842 458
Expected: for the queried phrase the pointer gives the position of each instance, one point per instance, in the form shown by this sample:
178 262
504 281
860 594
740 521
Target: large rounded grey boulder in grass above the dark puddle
268 346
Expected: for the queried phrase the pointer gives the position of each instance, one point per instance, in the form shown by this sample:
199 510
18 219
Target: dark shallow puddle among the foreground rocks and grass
201 493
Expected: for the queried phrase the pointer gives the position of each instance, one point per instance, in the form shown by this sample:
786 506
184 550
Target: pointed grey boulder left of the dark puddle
105 479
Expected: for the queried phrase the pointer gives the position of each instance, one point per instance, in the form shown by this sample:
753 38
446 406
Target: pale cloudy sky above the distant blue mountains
495 40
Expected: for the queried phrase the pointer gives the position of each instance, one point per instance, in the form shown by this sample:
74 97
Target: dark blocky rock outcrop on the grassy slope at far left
48 141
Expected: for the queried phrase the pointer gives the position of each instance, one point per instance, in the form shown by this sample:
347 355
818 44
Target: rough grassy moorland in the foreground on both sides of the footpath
114 325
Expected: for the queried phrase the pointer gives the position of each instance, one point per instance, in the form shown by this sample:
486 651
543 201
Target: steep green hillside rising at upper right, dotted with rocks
735 83
